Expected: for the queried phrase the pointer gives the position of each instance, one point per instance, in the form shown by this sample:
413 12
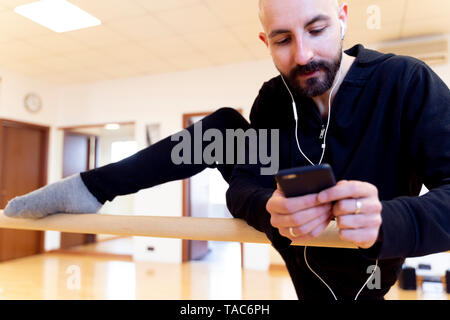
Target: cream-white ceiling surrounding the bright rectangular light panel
140 37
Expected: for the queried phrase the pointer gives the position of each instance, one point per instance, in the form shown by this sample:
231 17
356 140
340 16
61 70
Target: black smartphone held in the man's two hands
301 181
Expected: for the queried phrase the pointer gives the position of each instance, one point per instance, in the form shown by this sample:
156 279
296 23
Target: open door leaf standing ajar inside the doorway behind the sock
77 156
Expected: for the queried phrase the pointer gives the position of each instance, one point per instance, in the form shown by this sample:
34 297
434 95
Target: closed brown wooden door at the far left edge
23 168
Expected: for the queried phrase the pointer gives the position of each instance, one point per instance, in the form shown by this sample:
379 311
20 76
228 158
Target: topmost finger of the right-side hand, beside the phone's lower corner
348 189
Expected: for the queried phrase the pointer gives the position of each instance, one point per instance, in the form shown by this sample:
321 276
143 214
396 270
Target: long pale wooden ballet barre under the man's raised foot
188 228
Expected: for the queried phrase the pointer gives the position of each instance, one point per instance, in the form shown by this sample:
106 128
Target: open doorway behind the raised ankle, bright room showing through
90 147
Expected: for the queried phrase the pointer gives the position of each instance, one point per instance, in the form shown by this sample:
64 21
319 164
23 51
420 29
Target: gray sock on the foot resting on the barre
69 195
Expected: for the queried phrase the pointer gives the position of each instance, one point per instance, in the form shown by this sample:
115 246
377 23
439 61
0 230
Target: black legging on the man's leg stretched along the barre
154 166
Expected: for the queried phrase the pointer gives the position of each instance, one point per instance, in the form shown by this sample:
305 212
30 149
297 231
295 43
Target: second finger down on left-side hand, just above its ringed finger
301 217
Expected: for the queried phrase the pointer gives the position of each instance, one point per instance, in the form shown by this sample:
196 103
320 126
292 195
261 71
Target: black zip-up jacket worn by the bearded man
390 126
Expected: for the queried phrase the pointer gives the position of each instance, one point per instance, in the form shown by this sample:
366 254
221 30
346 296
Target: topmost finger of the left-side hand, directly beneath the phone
283 205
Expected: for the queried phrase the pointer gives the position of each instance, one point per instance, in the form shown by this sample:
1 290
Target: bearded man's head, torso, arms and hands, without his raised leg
388 133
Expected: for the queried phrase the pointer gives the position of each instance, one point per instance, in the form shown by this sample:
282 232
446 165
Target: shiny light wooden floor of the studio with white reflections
92 272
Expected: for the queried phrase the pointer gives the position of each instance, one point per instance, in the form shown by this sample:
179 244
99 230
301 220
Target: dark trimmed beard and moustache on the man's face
314 86
